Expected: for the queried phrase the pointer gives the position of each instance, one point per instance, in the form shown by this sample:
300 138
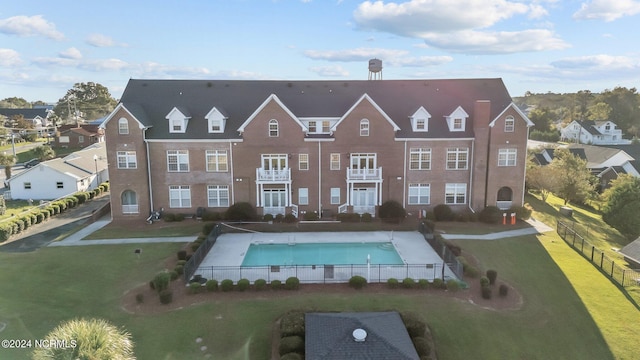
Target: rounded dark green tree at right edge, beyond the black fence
622 205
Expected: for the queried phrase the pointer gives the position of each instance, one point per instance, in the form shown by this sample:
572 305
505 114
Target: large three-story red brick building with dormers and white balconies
315 146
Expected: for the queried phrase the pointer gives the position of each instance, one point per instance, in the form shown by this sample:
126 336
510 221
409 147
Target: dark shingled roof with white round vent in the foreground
357 335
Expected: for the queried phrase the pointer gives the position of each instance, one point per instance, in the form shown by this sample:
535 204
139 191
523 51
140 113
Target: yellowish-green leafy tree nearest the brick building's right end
574 180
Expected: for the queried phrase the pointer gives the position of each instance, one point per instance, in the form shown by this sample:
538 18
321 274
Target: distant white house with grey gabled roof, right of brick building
600 132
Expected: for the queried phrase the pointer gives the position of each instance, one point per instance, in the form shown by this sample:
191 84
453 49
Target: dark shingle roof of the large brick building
151 100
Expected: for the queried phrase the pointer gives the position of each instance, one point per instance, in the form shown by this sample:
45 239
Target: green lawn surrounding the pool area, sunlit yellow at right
570 310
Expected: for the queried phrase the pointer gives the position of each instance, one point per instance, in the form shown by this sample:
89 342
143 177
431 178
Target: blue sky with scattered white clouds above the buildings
533 45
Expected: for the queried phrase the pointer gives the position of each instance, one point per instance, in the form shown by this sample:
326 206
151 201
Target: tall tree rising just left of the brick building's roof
88 101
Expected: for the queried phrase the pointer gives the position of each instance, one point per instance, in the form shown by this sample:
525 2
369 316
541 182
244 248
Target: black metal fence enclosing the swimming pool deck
374 273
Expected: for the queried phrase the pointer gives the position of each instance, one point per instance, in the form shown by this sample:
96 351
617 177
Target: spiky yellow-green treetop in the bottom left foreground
87 339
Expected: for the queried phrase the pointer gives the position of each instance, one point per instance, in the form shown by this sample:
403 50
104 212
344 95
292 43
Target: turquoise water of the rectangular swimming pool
321 254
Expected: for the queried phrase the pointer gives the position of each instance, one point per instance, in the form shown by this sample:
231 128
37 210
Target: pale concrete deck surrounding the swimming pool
225 258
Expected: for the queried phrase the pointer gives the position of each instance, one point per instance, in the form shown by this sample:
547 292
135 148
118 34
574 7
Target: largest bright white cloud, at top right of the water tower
460 26
